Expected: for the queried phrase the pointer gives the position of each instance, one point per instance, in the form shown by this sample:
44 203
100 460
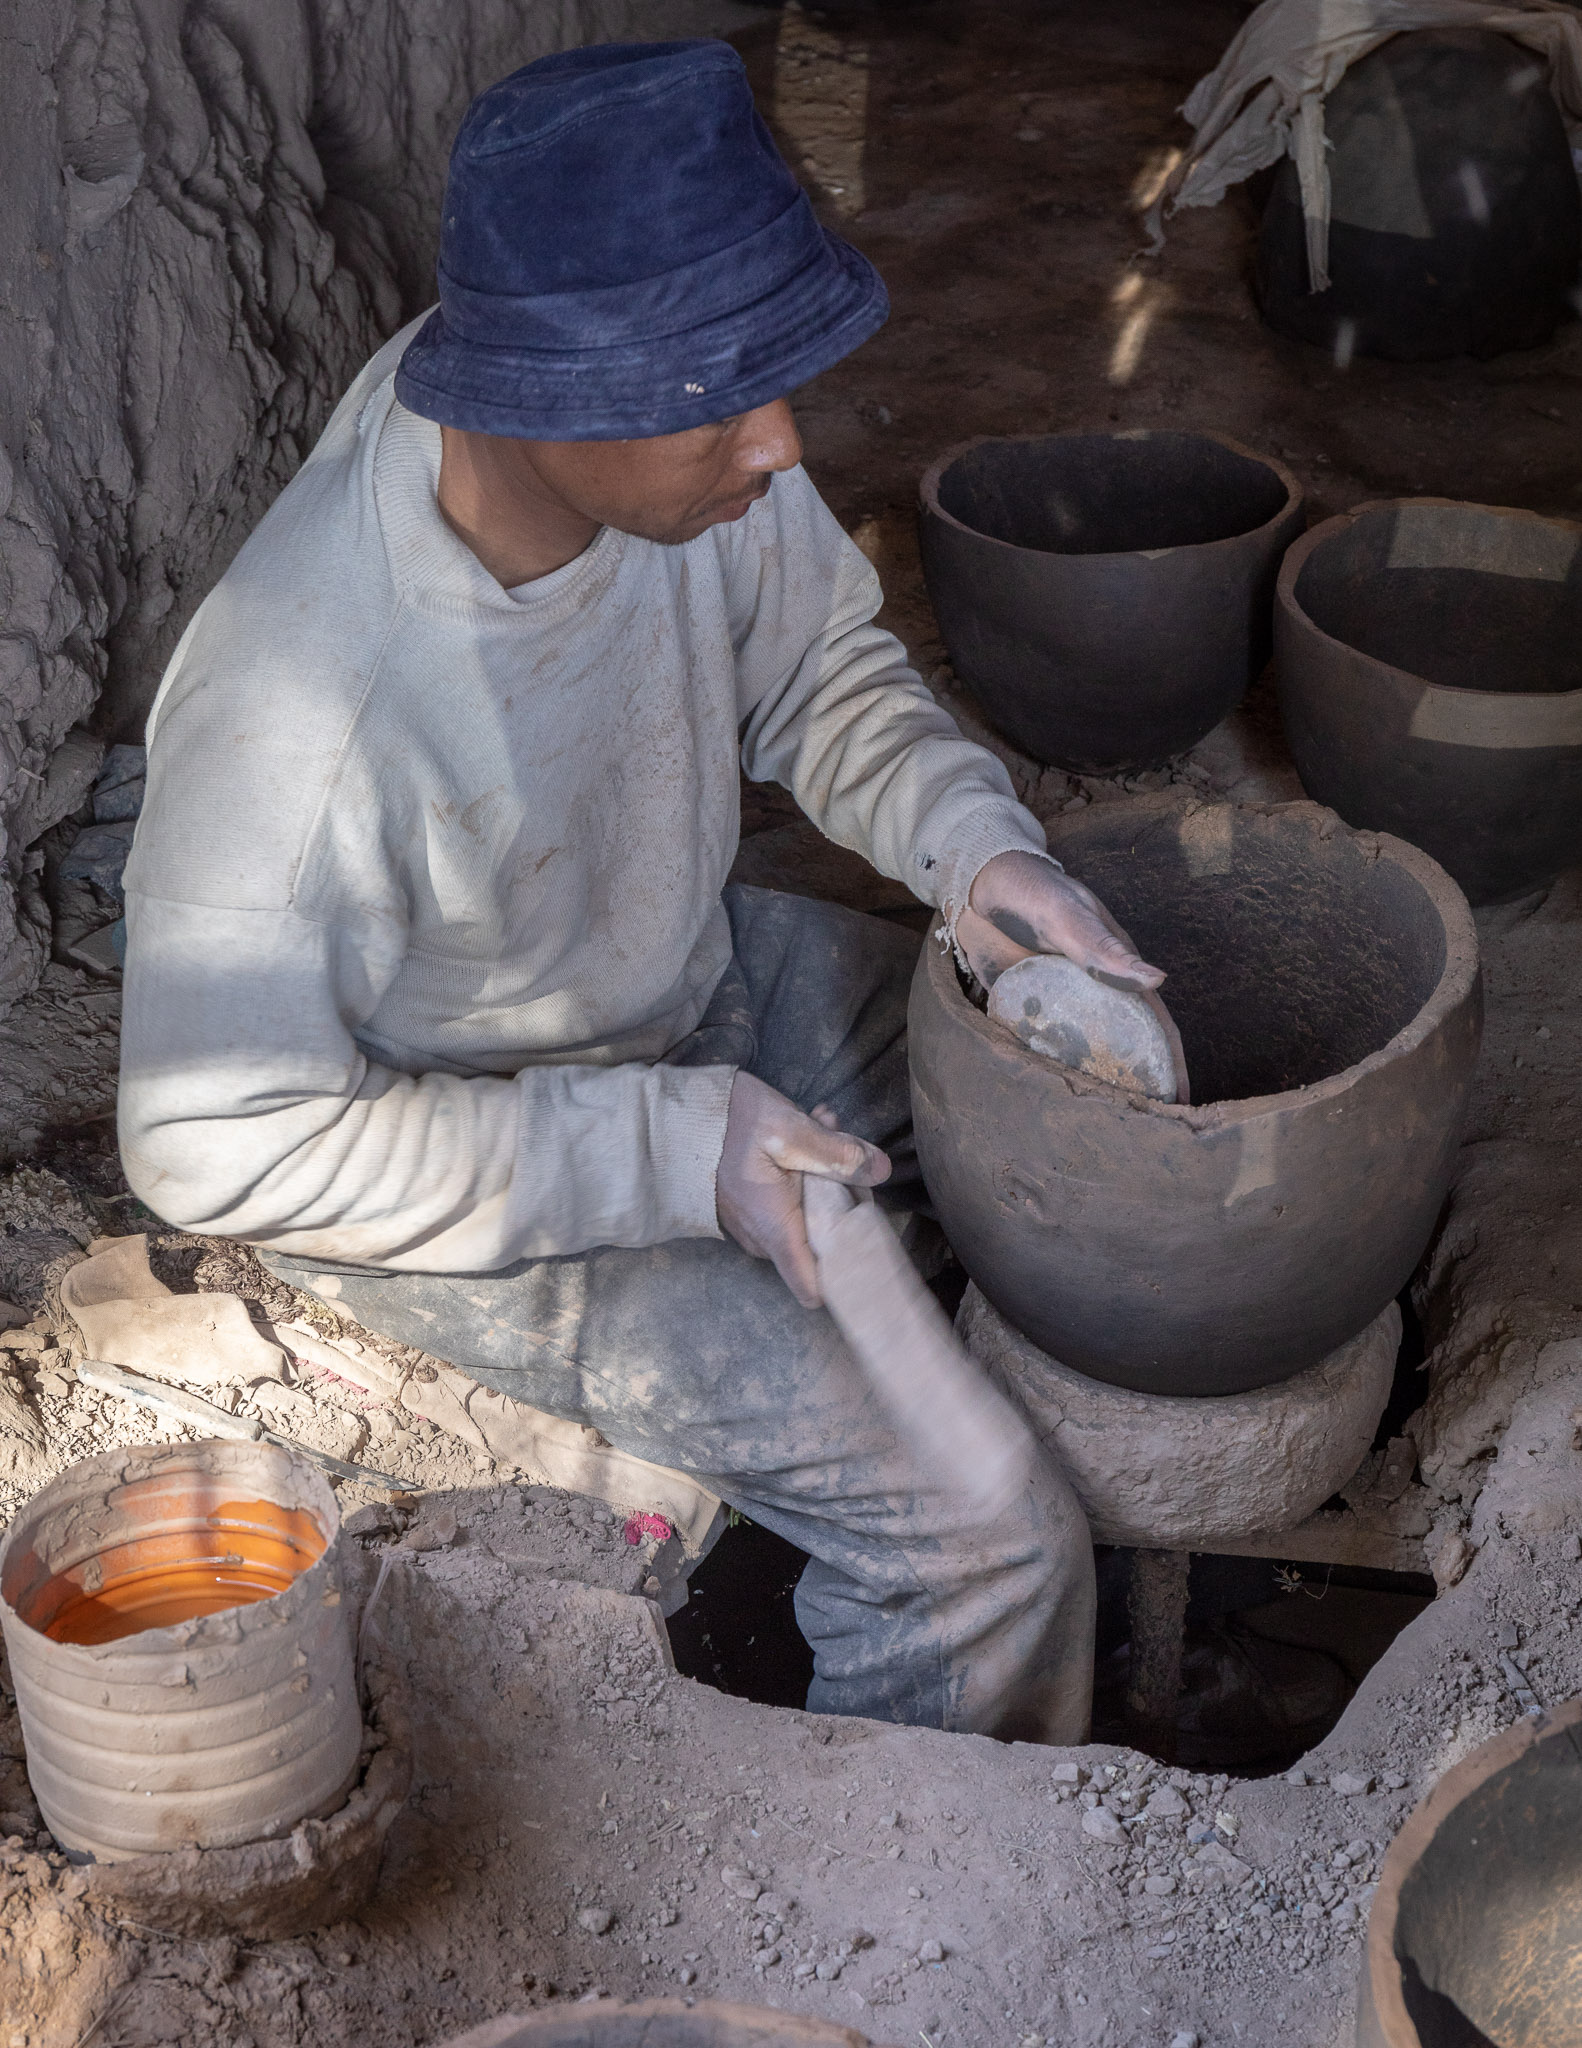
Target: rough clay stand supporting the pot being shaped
1188 1476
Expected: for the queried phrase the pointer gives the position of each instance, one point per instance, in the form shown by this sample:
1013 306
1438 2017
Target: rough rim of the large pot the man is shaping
1456 980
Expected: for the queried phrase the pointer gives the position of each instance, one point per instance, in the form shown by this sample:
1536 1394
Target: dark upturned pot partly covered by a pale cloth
1454 212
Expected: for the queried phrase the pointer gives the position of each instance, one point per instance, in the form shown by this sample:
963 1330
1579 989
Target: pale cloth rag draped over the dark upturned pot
1265 99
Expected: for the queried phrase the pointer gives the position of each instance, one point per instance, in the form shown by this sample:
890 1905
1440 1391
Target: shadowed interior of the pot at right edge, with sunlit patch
1474 620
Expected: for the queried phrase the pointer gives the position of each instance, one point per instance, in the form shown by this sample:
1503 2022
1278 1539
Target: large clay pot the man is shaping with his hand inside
1331 1007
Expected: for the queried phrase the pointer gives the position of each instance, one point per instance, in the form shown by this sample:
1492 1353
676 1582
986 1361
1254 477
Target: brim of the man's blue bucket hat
632 392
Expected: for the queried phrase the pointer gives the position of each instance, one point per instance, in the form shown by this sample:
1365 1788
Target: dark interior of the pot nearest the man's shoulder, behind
1110 495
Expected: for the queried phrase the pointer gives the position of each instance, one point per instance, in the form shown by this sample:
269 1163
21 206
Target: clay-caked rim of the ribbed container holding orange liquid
179 1639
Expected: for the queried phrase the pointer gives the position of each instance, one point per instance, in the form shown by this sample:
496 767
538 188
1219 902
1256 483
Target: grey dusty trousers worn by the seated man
694 1355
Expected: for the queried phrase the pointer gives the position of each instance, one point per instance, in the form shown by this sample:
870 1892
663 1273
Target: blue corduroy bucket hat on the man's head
626 253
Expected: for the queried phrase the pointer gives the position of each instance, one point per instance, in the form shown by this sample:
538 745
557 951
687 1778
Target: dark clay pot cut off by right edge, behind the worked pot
1431 683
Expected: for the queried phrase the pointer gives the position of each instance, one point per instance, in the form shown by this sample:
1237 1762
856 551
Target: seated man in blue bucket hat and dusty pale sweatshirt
431 990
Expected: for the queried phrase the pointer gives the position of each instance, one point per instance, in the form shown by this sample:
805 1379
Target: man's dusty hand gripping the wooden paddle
769 1146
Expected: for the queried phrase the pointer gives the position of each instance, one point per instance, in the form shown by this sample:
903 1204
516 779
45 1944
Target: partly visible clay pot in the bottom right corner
1474 1928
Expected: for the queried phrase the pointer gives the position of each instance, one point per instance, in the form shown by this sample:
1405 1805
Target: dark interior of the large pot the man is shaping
1282 974
